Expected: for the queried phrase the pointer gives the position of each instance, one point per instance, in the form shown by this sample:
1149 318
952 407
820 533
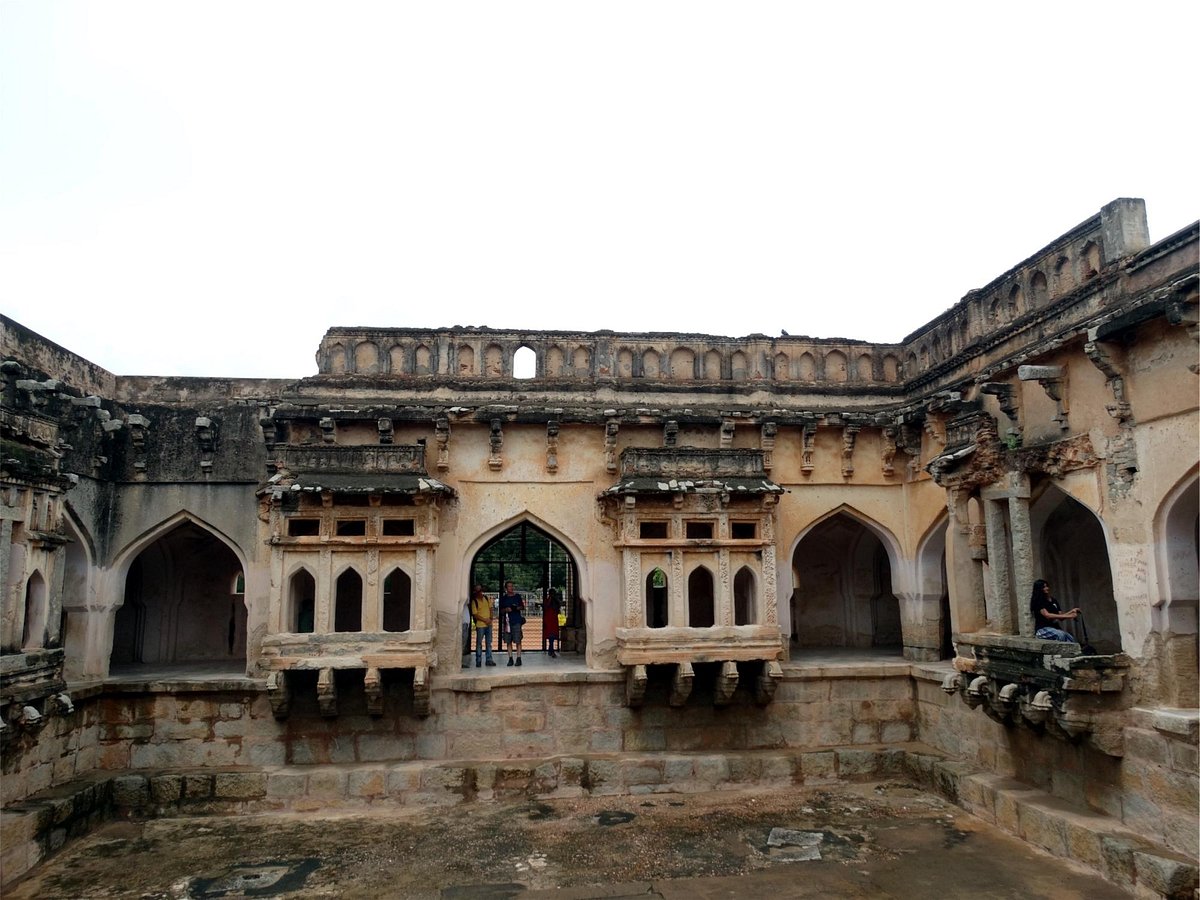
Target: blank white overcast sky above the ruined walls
205 188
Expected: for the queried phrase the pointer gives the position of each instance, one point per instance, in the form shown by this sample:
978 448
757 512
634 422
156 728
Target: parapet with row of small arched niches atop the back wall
585 358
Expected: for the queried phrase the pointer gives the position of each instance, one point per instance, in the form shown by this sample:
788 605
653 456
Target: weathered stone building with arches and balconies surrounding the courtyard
249 593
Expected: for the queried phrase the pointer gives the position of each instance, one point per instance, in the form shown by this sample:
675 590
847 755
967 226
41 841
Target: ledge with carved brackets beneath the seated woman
1045 686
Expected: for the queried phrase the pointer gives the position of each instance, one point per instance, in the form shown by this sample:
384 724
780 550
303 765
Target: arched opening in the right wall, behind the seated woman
1076 563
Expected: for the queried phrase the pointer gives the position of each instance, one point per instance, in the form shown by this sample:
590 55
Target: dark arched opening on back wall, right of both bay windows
843 589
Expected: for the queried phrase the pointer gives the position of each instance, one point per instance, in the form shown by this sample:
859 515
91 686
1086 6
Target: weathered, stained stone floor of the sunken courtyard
854 841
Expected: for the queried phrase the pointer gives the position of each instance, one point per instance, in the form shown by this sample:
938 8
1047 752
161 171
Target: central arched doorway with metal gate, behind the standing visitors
536 562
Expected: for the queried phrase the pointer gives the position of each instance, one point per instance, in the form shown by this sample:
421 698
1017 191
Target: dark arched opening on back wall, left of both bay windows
182 605
